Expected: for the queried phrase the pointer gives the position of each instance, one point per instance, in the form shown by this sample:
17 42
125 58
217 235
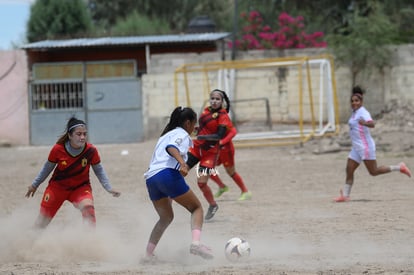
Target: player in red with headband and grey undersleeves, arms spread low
70 160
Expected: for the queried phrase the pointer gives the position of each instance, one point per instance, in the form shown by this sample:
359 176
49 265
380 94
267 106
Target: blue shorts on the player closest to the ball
166 183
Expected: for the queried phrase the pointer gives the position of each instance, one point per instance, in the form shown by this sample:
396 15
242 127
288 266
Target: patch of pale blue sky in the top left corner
13 18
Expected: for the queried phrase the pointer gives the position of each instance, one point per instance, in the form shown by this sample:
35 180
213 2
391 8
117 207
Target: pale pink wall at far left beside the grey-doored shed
14 118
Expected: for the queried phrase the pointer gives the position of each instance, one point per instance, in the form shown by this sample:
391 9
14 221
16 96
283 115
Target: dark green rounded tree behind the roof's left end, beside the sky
53 19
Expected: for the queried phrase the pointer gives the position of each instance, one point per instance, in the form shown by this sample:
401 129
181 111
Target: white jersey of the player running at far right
361 138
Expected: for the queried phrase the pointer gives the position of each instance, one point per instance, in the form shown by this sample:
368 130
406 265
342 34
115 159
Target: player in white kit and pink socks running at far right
363 146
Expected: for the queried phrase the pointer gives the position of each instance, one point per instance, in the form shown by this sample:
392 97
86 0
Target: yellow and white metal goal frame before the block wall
207 67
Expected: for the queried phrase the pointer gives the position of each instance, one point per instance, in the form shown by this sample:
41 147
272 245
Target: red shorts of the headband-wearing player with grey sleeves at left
55 195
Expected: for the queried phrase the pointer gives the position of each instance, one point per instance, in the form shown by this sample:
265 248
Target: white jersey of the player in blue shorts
161 159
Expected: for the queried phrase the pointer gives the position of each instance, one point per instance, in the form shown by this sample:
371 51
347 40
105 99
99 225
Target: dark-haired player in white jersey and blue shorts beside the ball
165 181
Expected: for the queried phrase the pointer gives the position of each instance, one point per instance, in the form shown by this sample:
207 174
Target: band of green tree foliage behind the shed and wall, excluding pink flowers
357 31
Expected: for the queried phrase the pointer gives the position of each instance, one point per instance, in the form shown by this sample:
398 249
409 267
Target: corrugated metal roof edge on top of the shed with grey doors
127 40
